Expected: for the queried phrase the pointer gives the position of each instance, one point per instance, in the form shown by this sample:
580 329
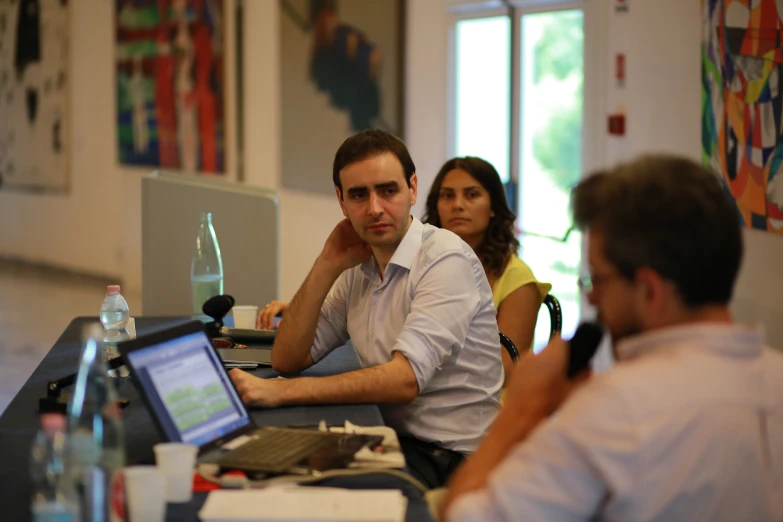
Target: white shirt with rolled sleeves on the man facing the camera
434 305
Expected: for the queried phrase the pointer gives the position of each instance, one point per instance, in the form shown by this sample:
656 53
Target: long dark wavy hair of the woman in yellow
499 240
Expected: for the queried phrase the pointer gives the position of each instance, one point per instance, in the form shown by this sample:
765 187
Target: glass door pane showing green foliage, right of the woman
551 153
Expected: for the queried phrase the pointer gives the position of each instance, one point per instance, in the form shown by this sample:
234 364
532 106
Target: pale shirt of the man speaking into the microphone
688 426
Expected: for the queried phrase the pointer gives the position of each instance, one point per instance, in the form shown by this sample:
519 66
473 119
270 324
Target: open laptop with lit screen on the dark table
191 399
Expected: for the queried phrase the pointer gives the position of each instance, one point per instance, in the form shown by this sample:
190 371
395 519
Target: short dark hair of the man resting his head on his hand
367 144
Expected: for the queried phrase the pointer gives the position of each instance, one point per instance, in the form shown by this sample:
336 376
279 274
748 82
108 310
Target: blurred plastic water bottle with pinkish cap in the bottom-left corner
54 498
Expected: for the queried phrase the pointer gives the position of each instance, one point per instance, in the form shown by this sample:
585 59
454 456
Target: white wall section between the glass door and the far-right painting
661 96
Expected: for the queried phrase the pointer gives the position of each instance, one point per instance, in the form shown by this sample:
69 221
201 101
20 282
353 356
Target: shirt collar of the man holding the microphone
734 340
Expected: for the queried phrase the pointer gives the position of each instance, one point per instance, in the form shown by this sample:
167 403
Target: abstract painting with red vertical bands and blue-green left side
171 84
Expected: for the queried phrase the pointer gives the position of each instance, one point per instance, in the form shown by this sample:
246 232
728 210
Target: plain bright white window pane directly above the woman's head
483 79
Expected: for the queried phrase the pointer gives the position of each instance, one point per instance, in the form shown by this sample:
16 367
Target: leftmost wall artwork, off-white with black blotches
34 94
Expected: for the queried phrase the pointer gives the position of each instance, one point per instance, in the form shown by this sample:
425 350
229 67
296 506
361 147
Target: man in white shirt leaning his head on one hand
414 301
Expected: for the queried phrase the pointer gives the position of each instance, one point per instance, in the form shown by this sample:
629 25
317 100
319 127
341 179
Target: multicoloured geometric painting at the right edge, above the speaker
742 116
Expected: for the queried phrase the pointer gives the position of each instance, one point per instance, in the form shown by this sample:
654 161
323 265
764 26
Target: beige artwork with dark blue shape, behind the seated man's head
341 71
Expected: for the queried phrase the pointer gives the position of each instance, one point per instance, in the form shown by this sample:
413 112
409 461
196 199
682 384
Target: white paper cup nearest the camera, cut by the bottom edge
144 493
